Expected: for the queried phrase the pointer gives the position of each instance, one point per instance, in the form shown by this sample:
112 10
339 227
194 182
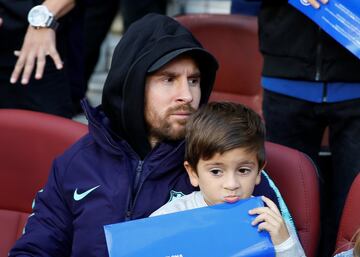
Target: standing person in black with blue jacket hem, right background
311 82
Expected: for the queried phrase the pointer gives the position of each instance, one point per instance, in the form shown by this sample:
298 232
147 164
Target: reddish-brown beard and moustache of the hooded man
162 129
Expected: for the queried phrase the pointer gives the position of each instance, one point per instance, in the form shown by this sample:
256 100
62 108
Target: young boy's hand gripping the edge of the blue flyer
270 219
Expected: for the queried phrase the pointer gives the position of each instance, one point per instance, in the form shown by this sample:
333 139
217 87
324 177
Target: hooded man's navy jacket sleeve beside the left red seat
48 231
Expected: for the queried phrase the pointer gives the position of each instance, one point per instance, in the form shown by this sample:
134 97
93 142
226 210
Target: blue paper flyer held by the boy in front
222 230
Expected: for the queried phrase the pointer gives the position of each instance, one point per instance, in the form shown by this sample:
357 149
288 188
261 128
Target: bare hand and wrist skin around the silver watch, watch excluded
38 43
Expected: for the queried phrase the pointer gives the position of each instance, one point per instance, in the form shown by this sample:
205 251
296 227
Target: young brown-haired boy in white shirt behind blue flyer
224 157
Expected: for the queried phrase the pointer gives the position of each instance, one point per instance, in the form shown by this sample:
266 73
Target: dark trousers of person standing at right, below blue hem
300 124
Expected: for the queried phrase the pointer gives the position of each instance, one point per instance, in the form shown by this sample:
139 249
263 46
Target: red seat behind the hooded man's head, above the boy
233 40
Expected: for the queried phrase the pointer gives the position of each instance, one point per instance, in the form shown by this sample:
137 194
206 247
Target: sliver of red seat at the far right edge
350 219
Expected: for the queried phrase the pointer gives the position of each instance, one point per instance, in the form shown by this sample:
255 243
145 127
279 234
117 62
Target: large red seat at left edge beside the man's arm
29 141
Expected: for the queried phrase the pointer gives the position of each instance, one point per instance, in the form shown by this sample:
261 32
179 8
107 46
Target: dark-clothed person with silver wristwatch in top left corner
32 75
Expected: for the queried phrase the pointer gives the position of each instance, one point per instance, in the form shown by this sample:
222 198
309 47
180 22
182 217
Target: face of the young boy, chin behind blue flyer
226 177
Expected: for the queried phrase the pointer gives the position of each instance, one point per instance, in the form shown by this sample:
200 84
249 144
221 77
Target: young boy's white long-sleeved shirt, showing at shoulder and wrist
289 248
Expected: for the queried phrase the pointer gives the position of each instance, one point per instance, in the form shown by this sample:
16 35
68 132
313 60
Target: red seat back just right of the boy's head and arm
296 177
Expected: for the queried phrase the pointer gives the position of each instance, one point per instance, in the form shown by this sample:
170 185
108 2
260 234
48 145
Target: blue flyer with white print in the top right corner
339 18
